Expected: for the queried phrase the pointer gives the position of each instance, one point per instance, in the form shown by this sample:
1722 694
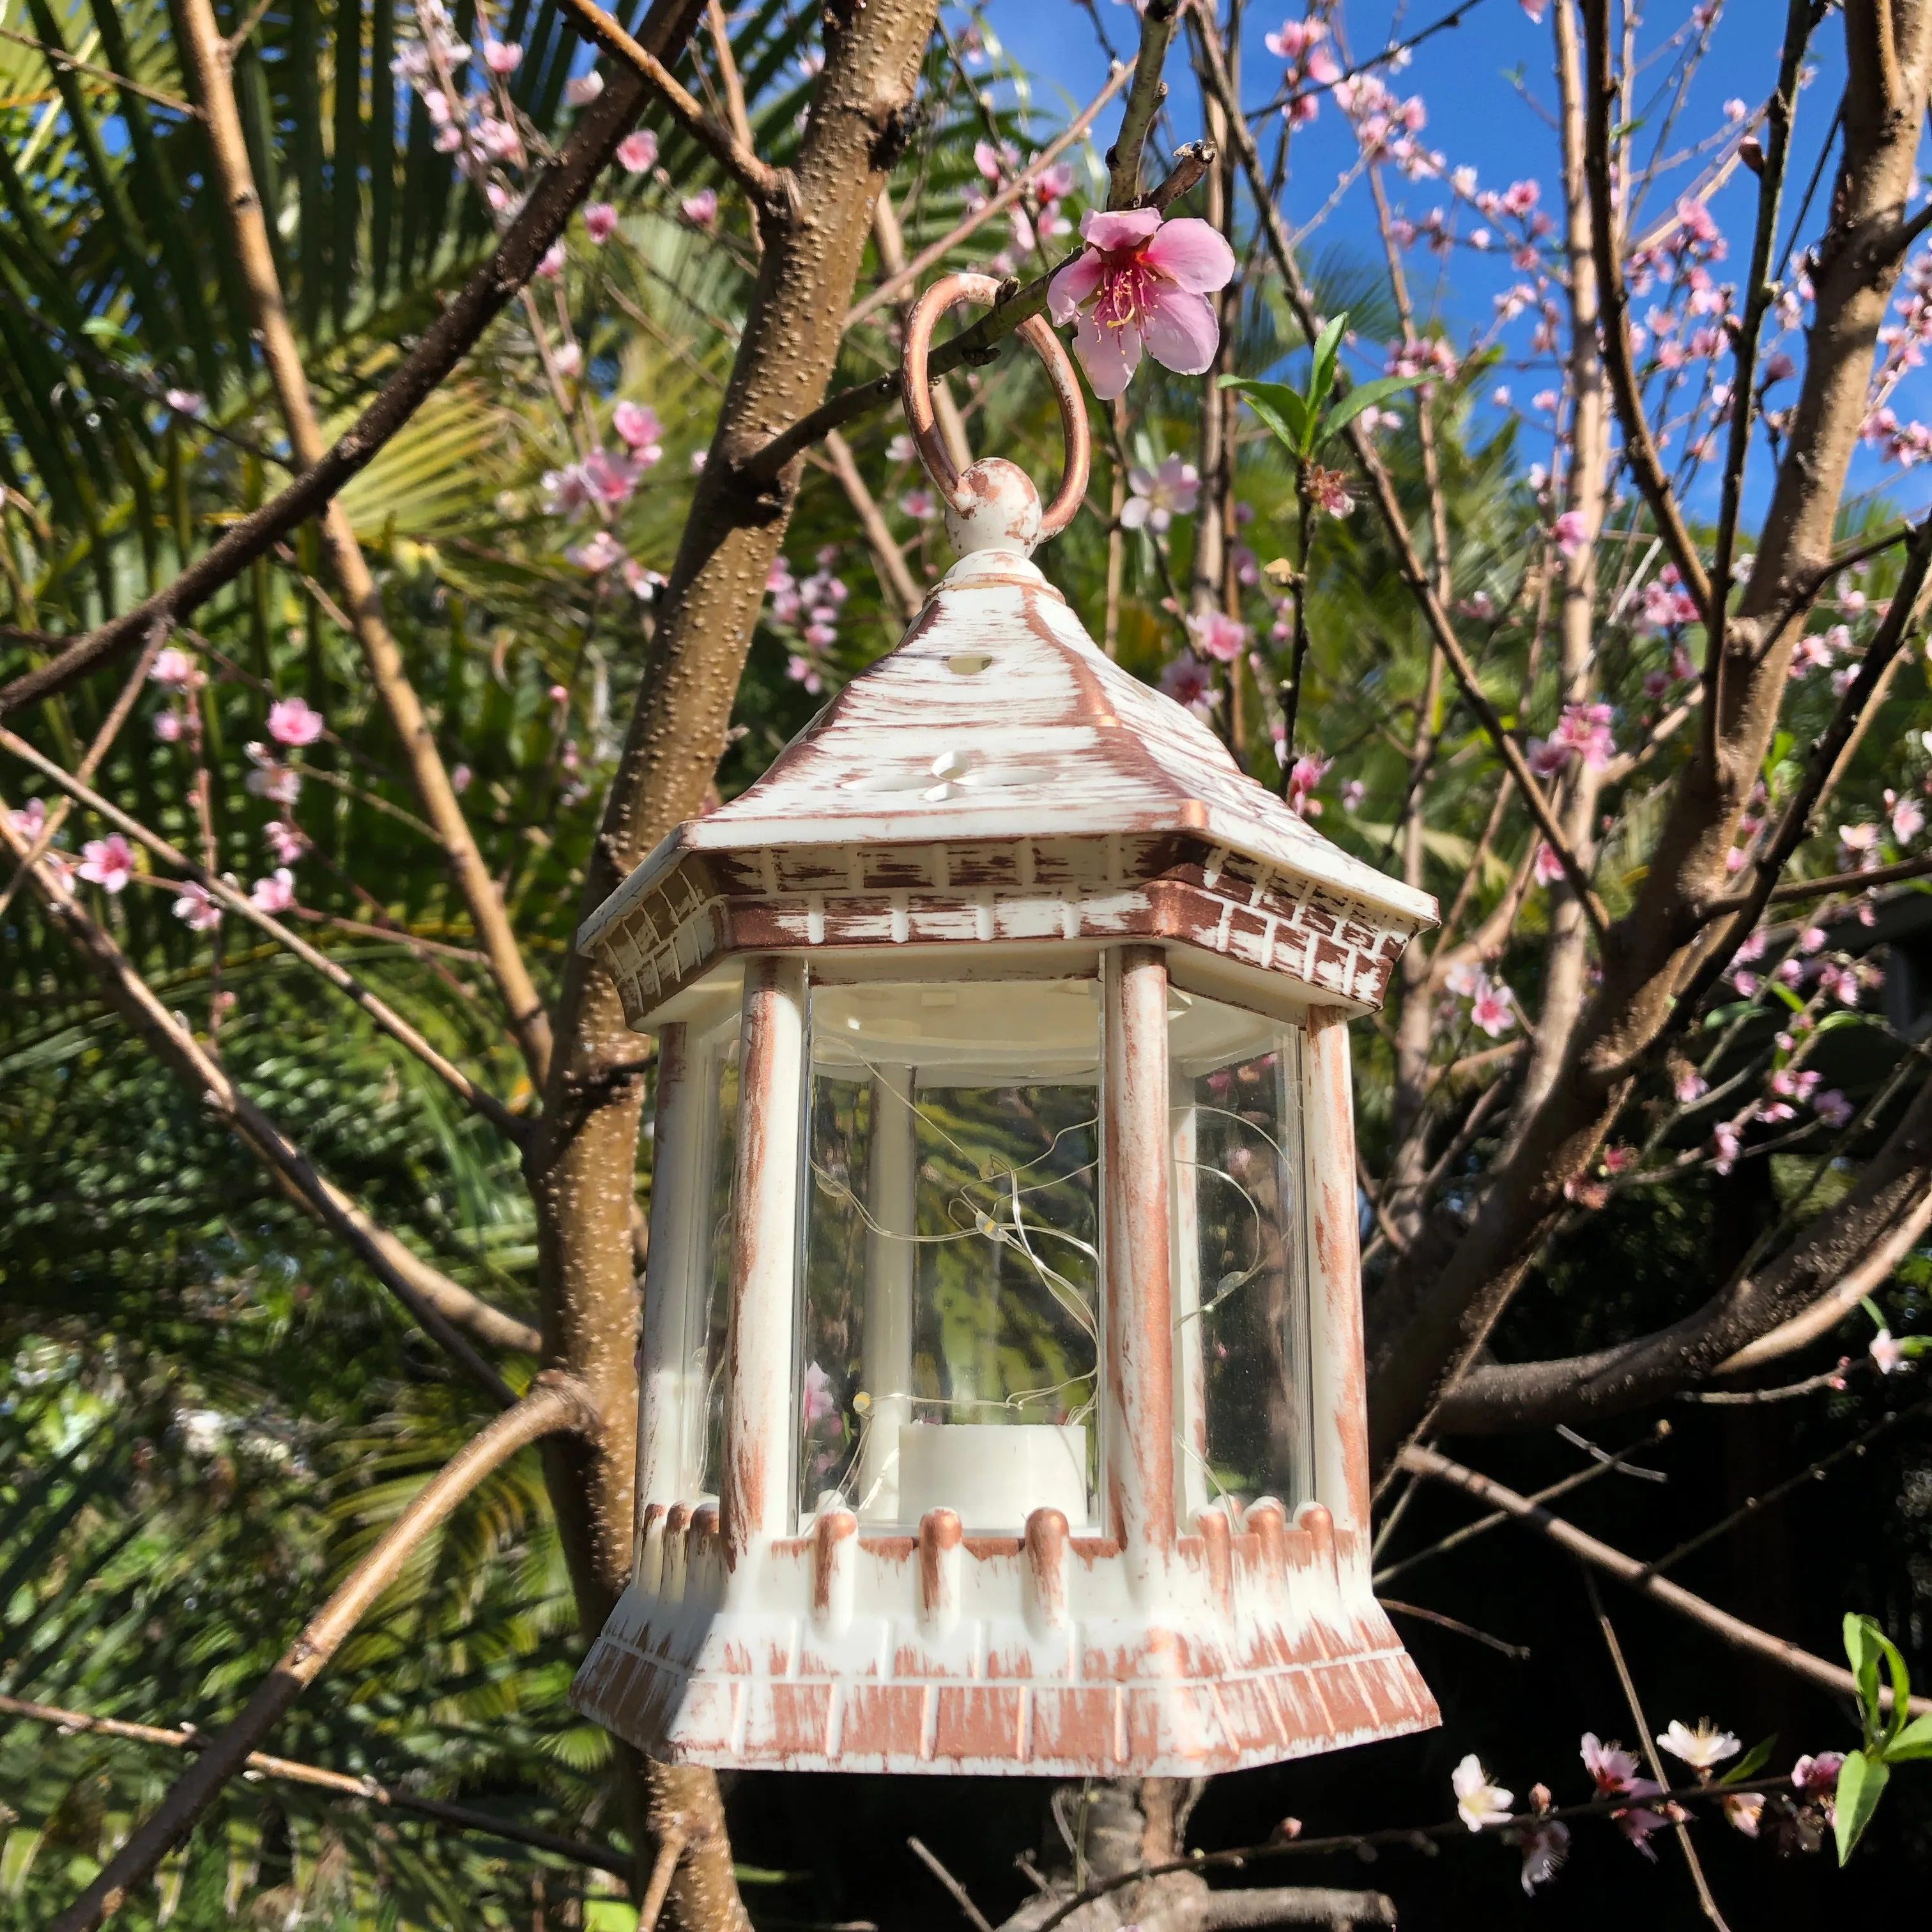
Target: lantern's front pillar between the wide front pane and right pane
1137 1334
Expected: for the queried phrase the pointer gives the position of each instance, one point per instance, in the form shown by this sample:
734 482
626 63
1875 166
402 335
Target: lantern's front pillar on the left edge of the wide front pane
760 1425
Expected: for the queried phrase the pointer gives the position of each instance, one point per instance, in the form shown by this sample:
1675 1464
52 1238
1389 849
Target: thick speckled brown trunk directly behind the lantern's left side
582 1164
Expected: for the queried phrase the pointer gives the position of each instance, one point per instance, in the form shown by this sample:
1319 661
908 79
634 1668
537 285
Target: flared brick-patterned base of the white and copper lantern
1035 1657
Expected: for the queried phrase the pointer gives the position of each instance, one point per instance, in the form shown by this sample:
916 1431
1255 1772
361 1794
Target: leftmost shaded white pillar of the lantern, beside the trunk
675 1270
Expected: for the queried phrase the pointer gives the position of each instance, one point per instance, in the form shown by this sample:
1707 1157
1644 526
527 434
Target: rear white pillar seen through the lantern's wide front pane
892 1272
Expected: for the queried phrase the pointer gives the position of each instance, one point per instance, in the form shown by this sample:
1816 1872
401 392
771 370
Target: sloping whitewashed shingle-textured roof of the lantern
1000 720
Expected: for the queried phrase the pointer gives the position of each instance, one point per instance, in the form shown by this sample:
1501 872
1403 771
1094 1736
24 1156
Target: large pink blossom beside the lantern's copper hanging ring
1143 281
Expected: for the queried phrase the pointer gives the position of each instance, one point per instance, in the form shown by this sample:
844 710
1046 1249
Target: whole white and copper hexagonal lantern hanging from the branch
1002 1402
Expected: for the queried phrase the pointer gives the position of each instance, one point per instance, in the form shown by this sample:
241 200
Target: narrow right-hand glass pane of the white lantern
1239 1253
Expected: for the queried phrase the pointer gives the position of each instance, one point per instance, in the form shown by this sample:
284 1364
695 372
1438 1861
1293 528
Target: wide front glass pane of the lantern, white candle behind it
950 1309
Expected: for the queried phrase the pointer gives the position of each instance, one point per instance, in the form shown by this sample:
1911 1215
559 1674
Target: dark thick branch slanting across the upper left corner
443 347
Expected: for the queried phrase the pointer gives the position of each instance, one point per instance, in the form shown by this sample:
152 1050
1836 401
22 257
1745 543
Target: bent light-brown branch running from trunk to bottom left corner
555 1406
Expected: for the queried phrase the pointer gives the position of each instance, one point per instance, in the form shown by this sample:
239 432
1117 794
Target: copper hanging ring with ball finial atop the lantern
988 486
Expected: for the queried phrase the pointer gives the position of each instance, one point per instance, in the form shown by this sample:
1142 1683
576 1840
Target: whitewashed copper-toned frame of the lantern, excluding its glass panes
998 801
